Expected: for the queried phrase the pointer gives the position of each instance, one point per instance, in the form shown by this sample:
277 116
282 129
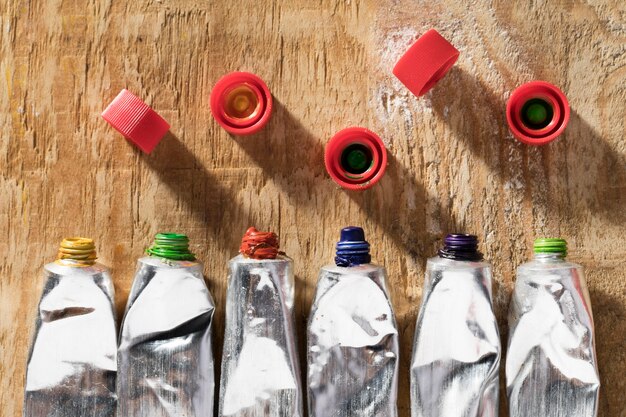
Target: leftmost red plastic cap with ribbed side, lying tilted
136 121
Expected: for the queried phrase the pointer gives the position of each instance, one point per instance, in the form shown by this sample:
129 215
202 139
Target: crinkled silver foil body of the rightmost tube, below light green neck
551 367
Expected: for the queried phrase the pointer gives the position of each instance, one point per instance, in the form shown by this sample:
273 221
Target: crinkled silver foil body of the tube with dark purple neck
456 352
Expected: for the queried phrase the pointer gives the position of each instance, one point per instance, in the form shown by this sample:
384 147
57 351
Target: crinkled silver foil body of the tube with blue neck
352 349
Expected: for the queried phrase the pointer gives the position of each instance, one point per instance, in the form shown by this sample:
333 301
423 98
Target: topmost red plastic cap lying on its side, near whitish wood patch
426 62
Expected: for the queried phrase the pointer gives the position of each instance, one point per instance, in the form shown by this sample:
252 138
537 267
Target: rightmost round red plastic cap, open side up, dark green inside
547 94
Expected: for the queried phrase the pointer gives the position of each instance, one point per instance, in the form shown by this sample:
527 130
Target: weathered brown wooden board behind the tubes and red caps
454 166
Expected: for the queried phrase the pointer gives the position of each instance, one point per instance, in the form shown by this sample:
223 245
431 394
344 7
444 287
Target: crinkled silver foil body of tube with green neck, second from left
165 355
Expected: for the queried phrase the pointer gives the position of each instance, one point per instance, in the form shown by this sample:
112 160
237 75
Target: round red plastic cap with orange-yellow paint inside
241 103
